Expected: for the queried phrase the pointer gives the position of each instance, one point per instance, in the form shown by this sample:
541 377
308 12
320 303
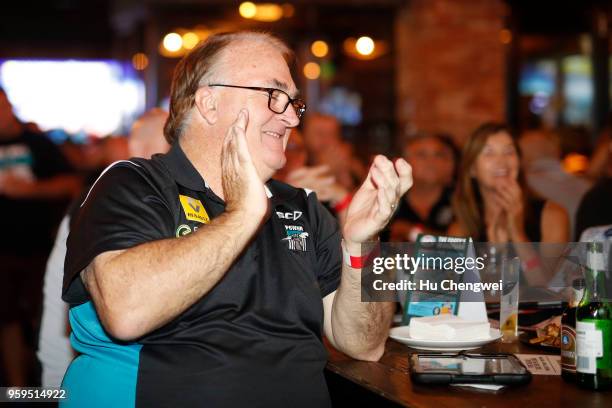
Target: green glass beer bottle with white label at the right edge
594 326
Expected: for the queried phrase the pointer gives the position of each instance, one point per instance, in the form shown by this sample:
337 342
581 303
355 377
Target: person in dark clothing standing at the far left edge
36 183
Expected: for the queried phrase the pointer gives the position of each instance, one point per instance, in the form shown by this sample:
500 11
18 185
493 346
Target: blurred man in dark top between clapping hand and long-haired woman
426 207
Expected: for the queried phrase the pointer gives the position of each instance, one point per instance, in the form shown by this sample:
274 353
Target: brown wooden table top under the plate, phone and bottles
389 379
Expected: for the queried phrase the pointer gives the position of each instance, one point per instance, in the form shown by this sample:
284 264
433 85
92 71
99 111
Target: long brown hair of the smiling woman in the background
467 200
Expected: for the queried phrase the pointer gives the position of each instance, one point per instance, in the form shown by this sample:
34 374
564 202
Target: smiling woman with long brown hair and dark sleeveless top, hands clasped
491 201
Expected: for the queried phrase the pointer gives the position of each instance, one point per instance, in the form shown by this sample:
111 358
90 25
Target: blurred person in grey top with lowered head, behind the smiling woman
541 161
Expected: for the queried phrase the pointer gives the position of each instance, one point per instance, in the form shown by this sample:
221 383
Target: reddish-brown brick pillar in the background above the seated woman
450 65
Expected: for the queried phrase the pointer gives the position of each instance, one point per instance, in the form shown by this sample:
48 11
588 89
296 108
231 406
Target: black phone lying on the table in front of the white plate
463 368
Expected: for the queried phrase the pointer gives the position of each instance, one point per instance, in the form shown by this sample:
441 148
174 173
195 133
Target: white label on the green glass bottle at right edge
593 345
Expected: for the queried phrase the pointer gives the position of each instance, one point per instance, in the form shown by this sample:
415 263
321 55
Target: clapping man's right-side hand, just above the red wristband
376 199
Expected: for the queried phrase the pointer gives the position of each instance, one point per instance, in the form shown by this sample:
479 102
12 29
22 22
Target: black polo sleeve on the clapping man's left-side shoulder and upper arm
123 209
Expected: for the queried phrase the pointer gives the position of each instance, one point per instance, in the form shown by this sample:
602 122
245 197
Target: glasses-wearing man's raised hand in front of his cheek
242 188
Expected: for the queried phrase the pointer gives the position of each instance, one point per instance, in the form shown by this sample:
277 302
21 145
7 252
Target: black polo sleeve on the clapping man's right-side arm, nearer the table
327 247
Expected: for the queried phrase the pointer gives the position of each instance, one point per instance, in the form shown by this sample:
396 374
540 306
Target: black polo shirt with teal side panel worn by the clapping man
254 339
